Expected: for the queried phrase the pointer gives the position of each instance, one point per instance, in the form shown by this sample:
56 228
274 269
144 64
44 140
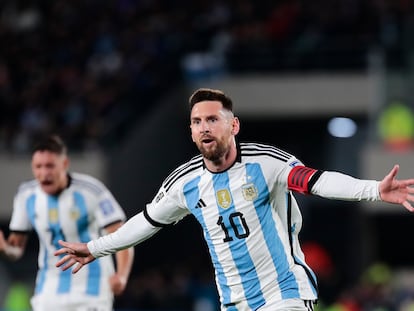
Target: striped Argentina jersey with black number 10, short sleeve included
250 221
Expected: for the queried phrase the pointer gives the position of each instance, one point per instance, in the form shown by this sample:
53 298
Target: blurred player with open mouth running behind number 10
59 204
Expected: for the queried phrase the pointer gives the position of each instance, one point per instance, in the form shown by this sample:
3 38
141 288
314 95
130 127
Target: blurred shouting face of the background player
50 170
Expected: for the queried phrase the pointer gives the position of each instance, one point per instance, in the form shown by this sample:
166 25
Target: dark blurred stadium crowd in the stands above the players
89 69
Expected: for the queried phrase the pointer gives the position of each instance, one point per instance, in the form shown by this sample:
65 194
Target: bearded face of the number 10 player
212 129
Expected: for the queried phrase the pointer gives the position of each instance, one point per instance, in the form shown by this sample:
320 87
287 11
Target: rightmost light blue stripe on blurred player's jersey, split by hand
94 268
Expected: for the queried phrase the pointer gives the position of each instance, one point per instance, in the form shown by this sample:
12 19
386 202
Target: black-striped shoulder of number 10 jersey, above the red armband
256 151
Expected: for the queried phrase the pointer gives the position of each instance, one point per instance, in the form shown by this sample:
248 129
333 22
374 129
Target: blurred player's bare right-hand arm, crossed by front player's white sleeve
124 261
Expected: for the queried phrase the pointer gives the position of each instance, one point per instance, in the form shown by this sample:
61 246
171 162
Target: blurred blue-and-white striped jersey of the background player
77 214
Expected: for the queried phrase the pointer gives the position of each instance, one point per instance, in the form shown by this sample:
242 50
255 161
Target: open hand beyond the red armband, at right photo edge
397 191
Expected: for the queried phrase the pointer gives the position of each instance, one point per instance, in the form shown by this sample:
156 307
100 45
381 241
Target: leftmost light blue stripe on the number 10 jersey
192 195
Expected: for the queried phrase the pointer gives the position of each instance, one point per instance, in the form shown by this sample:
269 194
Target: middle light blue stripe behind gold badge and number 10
238 248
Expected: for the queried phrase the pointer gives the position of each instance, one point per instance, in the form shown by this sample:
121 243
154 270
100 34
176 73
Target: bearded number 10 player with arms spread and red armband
241 194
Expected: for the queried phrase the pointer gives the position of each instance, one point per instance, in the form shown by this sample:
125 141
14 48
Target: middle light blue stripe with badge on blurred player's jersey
65 278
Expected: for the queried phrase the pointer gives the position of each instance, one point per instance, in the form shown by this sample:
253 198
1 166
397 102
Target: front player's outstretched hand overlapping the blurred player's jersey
73 253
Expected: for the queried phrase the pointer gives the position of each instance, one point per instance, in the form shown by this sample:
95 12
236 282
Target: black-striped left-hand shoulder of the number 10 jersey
184 172
